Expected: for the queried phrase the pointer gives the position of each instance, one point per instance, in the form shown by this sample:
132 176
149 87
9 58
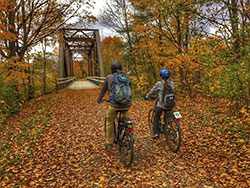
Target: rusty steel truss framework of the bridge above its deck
85 41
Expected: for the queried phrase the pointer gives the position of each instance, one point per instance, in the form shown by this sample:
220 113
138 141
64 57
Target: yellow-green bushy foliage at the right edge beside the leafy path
230 81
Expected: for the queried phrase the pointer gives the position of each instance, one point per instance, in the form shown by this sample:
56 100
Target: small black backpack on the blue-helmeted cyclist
168 99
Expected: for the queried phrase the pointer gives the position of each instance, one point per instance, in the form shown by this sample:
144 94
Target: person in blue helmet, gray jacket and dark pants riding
159 108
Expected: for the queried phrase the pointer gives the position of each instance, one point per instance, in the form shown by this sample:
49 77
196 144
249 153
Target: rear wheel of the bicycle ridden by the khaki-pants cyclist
126 148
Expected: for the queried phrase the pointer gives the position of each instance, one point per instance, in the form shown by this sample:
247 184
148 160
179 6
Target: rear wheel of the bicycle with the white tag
173 136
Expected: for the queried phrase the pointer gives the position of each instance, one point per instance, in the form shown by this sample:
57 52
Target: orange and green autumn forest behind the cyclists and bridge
205 45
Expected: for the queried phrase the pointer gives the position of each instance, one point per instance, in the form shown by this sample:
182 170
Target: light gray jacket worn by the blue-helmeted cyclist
158 88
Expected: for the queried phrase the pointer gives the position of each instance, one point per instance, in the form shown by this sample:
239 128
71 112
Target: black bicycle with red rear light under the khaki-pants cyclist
123 131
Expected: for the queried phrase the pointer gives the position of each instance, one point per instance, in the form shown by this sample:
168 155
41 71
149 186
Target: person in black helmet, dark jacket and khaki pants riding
113 107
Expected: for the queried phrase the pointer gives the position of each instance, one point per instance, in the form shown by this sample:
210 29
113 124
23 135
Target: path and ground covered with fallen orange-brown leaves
57 141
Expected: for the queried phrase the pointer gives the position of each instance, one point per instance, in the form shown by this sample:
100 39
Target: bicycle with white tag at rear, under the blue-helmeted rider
170 127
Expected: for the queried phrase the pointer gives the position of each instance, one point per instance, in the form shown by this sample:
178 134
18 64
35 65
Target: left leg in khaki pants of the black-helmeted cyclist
111 115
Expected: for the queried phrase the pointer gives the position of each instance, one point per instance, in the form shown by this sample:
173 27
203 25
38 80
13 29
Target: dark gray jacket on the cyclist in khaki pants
107 86
